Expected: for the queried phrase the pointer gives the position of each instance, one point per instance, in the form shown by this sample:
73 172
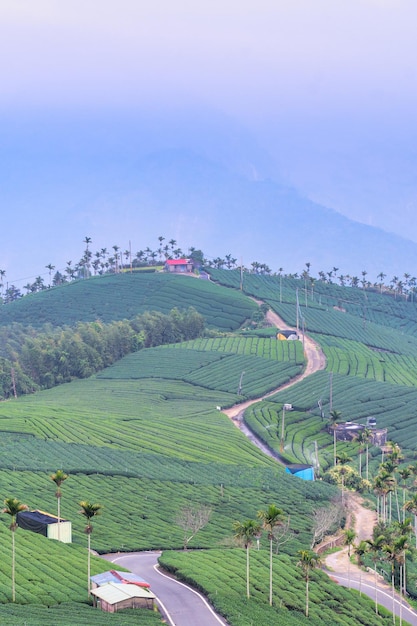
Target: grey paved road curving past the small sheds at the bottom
179 604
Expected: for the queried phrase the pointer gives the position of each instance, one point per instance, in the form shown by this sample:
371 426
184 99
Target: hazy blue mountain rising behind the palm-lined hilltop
202 181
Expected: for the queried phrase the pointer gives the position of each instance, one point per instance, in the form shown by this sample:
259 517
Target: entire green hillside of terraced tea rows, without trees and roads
144 437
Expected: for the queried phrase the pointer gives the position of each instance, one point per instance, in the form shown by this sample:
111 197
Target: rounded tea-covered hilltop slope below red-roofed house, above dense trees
121 296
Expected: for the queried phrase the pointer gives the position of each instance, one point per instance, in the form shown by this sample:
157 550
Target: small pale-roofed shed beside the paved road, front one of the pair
113 597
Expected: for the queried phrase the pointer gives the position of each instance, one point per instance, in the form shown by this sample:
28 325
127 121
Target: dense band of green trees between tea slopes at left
31 360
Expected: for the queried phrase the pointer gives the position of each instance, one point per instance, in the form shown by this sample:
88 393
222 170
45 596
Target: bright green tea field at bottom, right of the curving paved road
225 587
